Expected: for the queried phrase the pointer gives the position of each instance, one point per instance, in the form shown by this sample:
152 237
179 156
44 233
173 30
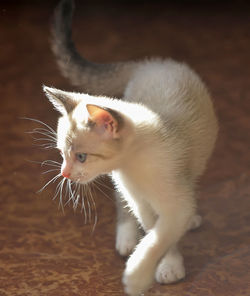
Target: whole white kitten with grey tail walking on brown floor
151 125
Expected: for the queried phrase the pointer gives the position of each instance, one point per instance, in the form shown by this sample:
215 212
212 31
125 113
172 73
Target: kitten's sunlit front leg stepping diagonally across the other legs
173 217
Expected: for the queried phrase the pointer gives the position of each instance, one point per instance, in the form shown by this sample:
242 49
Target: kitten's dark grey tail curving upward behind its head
96 79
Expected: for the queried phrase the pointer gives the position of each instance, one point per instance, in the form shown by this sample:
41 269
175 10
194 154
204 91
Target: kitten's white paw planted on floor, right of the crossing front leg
170 270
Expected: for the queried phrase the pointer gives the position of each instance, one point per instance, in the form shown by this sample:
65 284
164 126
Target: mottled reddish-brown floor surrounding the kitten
47 251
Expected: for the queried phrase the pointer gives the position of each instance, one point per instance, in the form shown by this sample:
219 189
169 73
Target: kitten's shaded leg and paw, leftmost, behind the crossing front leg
127 231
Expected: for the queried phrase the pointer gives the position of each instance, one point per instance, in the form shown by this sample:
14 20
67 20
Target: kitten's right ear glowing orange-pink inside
107 121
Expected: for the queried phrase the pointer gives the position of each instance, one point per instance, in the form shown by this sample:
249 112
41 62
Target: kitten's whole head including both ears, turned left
91 136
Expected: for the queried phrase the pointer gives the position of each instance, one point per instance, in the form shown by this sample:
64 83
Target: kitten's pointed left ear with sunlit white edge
63 101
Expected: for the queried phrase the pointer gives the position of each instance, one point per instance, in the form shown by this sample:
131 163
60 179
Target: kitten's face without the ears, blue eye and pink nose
86 153
